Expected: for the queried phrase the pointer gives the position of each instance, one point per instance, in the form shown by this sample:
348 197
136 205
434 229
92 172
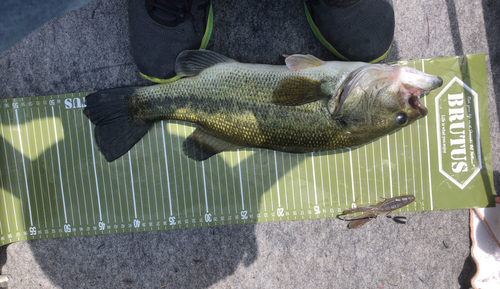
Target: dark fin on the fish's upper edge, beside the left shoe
192 62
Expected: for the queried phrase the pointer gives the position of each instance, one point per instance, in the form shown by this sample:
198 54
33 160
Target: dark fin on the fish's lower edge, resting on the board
200 145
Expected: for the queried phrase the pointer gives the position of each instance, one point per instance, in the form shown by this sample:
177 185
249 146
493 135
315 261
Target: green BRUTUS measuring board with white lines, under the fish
55 183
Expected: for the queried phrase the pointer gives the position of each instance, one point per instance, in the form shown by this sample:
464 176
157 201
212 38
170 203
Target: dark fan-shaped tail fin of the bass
117 126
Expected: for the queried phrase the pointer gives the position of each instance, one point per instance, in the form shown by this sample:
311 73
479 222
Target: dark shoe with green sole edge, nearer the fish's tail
161 29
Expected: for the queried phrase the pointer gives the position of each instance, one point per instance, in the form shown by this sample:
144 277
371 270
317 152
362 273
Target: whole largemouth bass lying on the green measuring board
307 105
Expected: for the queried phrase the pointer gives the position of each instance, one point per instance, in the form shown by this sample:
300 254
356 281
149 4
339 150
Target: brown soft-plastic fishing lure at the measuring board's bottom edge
371 212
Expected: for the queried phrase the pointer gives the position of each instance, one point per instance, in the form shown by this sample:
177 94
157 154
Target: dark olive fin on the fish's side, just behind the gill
298 90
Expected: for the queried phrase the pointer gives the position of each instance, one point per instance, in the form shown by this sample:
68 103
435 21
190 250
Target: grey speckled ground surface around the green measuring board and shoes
88 49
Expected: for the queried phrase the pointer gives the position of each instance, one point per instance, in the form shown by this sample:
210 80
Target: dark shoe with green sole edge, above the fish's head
359 30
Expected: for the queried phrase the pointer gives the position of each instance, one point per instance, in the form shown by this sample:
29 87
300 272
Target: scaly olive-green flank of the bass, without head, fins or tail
250 117
